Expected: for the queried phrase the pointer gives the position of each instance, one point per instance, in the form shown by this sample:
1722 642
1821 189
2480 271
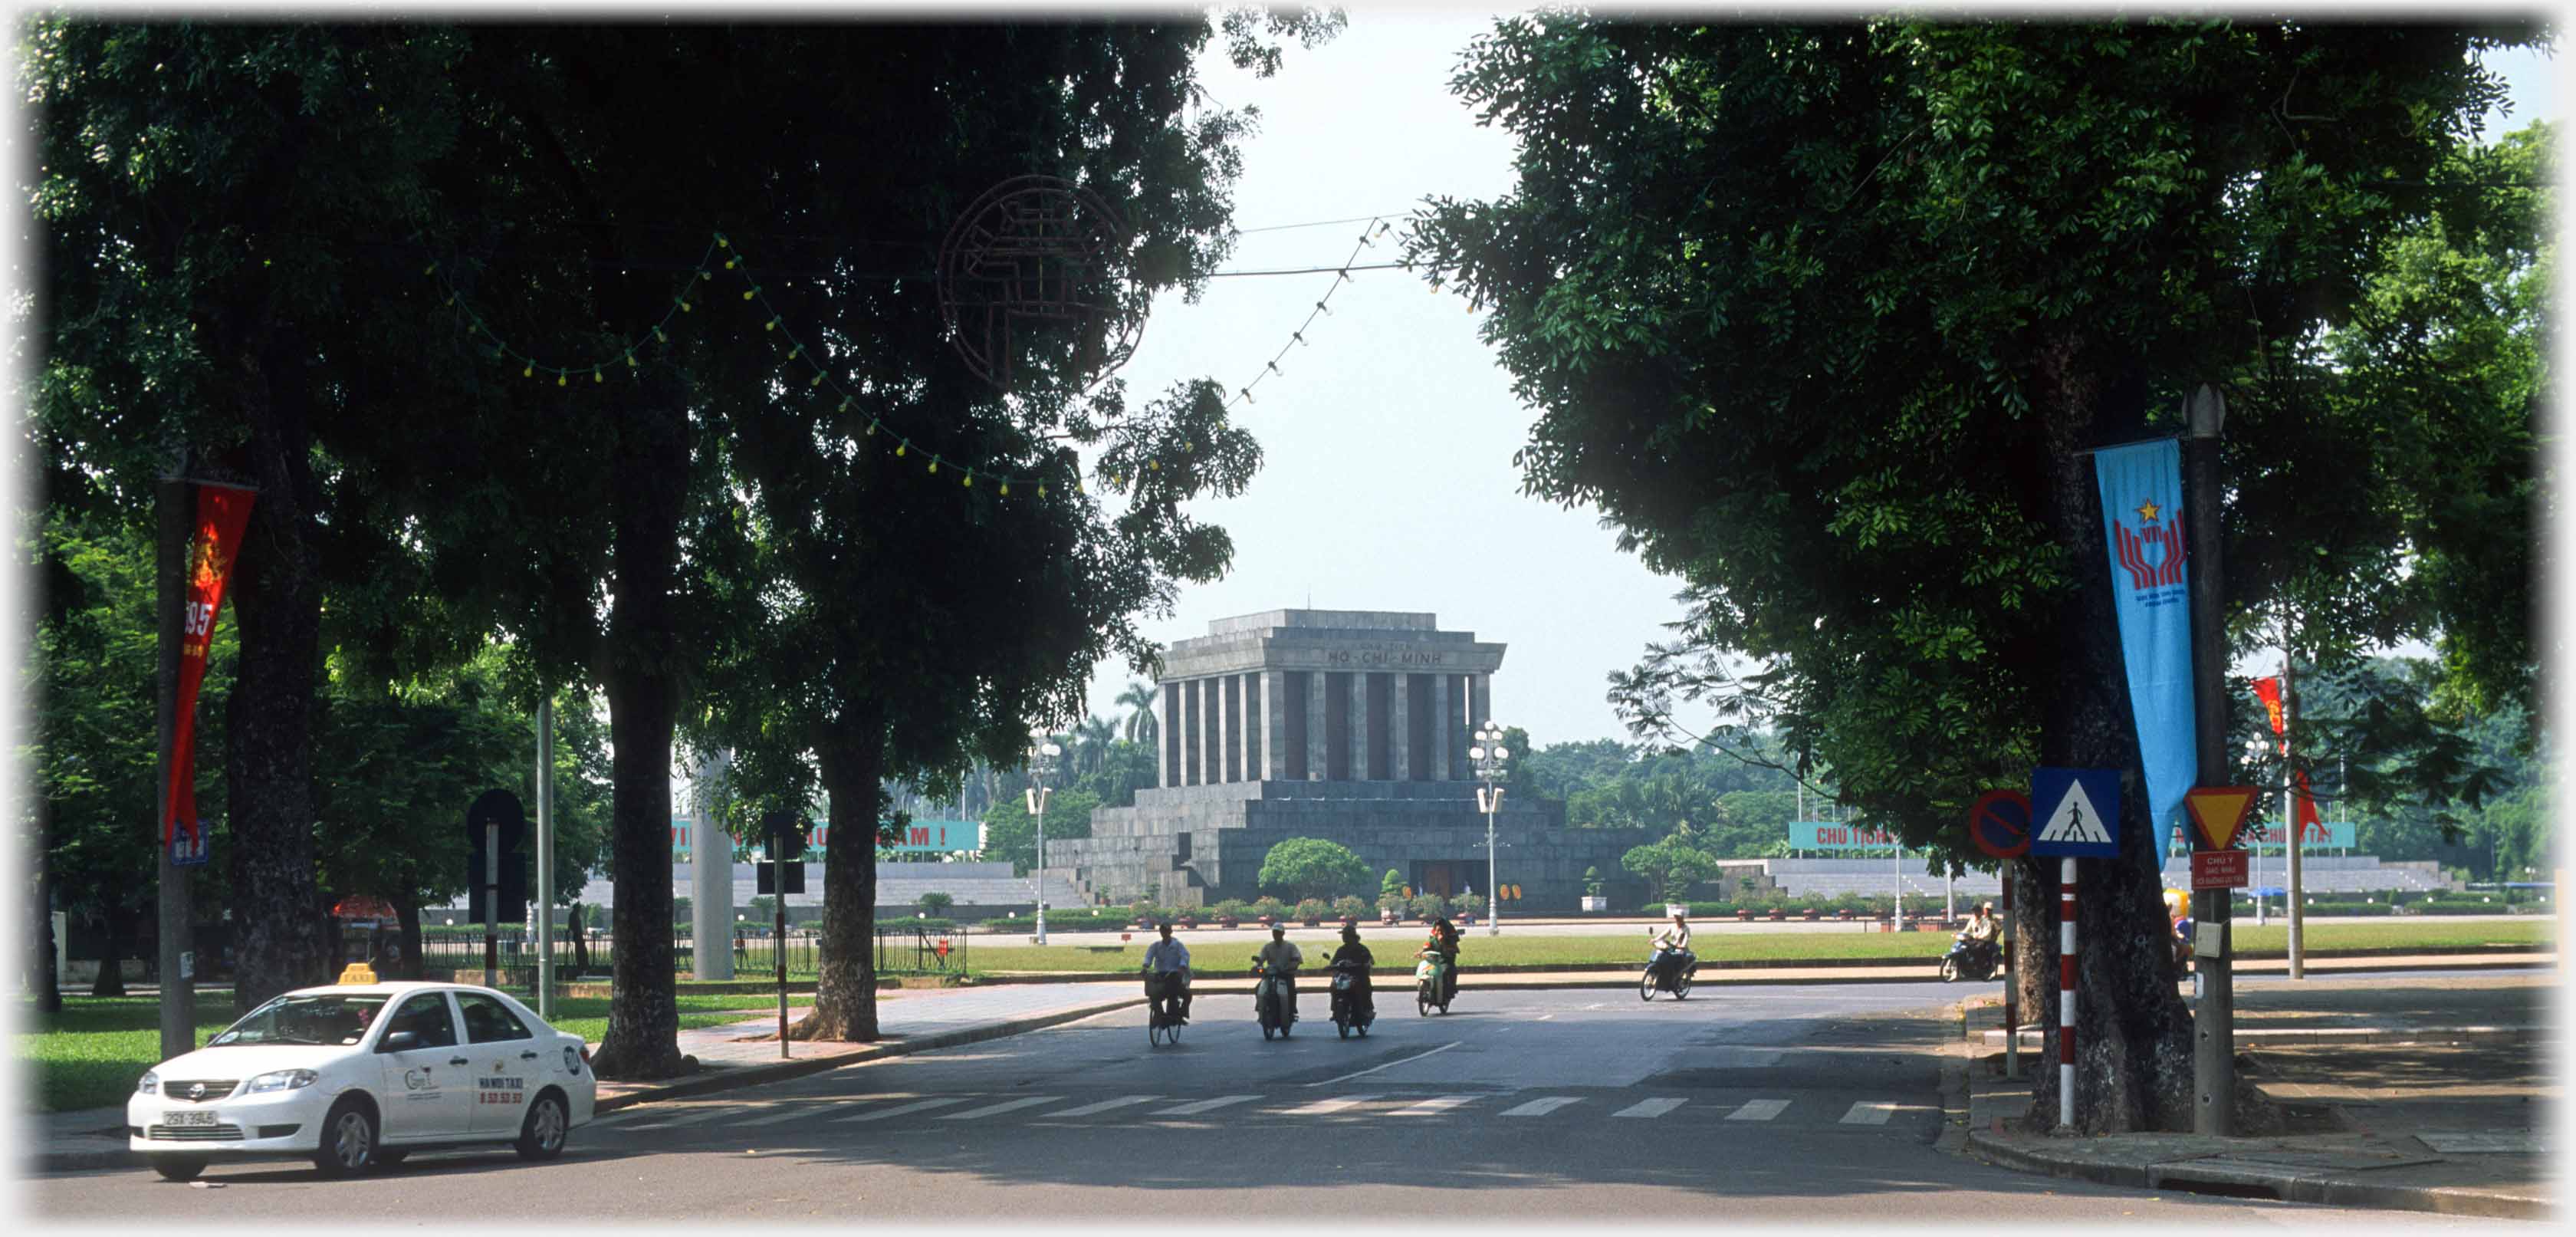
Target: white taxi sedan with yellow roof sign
359 1076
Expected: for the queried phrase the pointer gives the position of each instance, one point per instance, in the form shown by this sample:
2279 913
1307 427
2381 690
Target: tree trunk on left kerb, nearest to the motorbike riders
846 955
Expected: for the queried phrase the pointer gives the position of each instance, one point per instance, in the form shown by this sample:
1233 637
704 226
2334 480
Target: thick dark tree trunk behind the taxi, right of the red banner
269 790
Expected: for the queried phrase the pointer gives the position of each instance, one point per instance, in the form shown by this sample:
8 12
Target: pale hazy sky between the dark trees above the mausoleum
1387 478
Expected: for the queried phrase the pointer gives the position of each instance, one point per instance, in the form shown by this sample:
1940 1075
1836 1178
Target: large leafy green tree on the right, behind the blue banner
1825 318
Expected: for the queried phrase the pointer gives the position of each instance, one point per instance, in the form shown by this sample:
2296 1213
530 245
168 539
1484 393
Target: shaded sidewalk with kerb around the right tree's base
2418 1094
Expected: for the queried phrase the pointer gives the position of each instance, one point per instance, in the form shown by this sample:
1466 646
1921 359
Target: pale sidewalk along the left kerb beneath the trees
916 1022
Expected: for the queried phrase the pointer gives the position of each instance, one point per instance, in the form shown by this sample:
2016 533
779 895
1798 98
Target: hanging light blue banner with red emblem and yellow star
2142 509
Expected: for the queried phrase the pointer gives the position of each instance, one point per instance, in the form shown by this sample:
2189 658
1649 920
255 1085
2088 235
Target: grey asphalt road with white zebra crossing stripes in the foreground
1784 1104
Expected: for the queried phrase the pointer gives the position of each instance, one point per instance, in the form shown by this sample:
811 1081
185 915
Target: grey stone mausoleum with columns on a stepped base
1341 725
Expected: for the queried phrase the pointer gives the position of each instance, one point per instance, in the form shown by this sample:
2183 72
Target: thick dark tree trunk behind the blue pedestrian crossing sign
2134 1040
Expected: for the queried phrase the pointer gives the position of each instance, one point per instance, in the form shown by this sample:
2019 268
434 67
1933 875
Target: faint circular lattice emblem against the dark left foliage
1039 259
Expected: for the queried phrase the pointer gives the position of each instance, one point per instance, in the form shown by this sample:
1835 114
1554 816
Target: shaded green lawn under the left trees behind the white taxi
97 1048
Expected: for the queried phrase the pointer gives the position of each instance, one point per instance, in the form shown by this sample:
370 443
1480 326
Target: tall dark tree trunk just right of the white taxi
643 702
